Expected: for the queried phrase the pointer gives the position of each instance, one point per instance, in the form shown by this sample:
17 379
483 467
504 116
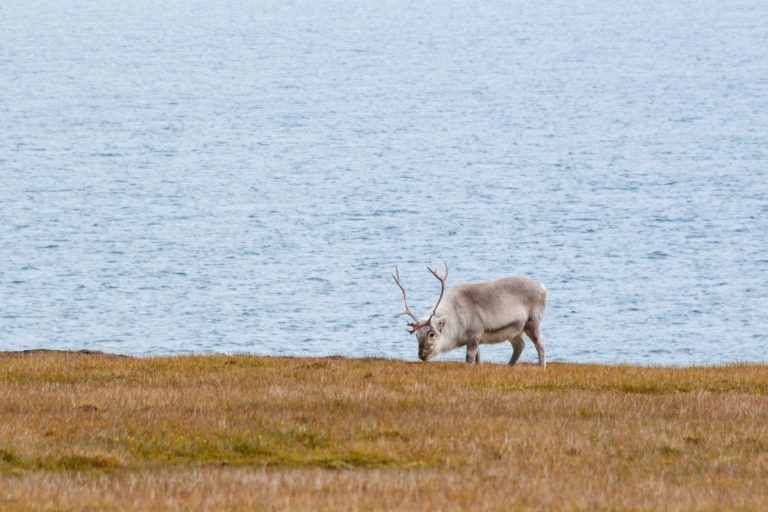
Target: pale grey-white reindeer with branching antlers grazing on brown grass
475 313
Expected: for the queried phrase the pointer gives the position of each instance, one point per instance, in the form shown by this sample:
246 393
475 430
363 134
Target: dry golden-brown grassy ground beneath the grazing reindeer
218 432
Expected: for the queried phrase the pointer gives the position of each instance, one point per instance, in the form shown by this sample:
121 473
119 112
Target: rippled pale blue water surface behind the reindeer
240 176
